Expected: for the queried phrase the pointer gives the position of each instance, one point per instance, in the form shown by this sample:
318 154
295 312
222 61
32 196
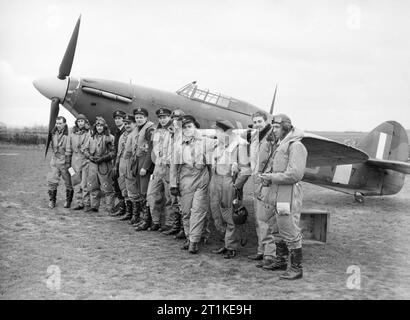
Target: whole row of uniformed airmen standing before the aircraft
170 178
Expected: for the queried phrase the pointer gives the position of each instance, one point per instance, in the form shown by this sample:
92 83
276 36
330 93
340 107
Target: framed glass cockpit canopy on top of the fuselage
192 92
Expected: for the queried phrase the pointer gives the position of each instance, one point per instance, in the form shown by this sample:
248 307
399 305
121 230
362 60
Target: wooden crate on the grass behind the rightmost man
315 225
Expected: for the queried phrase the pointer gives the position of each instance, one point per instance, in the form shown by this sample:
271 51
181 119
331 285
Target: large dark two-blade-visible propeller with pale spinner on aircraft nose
64 72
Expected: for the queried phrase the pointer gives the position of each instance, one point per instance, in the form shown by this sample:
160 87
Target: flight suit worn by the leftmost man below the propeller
58 161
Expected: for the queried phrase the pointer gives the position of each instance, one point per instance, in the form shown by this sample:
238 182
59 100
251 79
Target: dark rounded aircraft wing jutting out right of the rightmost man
326 152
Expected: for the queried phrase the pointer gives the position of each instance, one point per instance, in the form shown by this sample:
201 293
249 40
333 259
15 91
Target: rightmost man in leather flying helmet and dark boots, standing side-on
282 195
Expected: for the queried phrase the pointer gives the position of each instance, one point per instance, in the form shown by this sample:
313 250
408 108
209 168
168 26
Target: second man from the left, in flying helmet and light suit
76 143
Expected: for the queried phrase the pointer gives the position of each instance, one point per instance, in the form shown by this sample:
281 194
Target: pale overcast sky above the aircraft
339 65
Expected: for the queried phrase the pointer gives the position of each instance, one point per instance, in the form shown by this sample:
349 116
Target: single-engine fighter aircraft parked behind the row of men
376 167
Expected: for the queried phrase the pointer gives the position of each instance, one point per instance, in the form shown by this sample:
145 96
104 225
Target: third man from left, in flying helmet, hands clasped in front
100 151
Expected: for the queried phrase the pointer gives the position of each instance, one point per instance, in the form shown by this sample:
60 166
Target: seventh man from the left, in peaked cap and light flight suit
158 195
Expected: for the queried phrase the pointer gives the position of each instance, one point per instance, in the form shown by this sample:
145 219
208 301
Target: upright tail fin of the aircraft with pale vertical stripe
387 142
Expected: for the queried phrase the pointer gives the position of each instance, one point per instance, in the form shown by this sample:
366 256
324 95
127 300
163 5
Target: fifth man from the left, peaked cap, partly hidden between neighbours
121 164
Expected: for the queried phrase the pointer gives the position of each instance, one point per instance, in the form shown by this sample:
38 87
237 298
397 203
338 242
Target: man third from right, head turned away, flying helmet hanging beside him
230 170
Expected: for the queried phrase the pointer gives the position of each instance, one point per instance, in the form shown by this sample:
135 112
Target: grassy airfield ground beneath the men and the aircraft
100 257
